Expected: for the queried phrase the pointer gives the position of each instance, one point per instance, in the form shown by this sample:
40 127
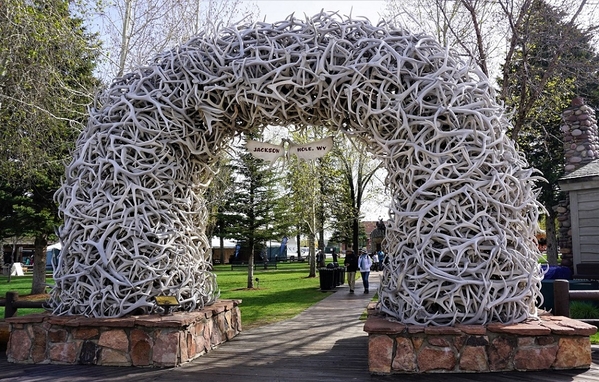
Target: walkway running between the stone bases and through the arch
324 343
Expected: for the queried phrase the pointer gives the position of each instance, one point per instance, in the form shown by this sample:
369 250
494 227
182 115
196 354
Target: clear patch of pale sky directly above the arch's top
278 10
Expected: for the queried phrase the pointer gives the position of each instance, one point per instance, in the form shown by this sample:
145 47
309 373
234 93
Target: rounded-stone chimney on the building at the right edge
581 146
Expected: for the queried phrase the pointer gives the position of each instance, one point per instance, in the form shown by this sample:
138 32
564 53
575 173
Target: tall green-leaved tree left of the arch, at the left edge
46 63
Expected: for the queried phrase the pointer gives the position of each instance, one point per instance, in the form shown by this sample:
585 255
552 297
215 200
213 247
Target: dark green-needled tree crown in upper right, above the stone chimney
546 45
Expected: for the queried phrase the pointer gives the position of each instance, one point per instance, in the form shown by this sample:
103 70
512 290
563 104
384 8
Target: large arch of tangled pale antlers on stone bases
461 236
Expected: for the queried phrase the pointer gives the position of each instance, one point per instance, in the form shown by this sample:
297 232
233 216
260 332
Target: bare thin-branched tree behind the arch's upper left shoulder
134 31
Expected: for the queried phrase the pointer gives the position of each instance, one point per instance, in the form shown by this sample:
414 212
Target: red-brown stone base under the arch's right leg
549 343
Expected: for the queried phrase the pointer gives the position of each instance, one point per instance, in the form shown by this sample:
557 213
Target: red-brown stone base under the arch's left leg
148 341
